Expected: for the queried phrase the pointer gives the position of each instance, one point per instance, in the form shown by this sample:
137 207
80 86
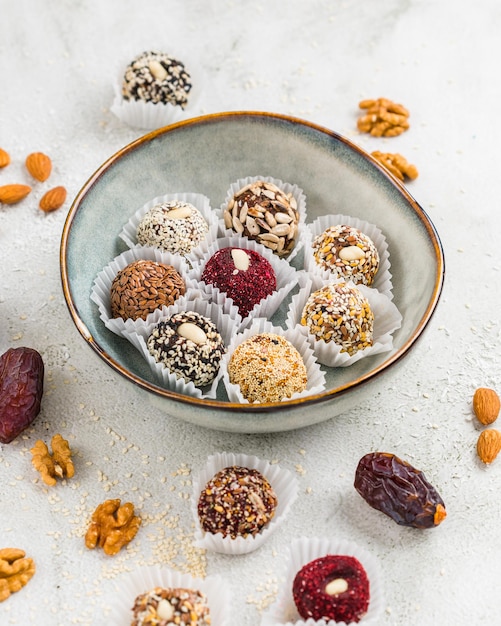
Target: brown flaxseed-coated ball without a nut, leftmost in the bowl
143 286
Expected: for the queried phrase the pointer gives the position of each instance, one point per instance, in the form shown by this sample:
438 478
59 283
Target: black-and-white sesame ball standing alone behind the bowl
158 78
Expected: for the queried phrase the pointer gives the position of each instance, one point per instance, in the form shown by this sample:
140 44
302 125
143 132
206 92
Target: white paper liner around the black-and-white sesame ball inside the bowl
226 323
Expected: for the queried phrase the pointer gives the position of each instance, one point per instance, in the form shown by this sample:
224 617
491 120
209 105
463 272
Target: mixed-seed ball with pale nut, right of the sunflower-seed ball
347 253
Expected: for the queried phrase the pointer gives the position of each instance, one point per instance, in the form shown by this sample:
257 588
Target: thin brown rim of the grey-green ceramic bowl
207 403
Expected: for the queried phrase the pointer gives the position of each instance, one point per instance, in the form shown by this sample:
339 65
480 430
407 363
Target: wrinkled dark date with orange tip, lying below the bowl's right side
397 489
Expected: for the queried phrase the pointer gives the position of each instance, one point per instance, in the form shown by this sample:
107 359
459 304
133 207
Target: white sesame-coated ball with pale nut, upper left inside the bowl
175 227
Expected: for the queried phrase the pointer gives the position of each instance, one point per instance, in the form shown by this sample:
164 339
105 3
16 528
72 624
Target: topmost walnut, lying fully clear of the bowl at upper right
383 118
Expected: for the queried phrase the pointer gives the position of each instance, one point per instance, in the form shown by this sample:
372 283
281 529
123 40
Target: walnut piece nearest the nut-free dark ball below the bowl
112 526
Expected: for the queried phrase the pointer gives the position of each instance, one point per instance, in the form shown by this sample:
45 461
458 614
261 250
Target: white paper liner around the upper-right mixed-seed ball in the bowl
382 281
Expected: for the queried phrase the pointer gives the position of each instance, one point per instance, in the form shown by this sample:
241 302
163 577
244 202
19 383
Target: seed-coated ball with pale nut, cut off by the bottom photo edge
171 606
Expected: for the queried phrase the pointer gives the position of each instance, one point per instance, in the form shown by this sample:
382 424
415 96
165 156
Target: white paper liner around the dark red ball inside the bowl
285 276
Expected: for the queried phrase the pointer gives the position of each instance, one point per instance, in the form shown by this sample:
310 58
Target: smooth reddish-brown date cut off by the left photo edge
21 389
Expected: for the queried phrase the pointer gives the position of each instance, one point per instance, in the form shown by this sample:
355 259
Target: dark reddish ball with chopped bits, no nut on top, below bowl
236 502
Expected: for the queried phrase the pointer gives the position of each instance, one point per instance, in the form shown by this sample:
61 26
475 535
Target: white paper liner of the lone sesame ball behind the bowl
147 115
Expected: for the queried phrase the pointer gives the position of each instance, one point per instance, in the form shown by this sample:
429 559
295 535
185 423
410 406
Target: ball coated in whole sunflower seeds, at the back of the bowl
263 212
